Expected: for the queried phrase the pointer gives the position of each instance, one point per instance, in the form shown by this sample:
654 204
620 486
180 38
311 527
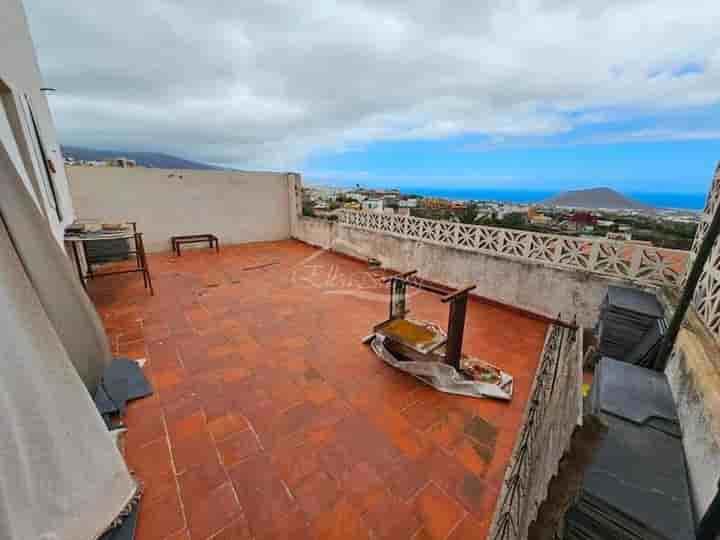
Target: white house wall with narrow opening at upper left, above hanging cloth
20 83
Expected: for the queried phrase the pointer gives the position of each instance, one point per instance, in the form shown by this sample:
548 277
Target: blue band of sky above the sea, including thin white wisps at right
634 155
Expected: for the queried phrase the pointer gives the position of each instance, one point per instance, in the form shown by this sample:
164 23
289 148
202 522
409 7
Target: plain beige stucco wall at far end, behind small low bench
236 206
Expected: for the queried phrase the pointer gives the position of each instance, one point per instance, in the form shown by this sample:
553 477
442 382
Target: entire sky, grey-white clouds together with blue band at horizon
539 94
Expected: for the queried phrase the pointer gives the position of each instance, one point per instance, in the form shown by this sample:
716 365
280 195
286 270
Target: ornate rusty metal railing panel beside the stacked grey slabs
553 407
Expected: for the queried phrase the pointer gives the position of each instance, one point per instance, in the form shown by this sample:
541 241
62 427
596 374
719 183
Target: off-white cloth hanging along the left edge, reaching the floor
61 475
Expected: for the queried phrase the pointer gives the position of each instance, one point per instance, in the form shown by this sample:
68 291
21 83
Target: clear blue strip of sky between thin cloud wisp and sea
670 166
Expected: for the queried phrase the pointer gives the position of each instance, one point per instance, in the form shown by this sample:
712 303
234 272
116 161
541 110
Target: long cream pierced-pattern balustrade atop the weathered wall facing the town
636 262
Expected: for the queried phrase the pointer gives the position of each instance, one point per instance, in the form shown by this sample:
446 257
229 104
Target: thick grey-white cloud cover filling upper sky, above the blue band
265 83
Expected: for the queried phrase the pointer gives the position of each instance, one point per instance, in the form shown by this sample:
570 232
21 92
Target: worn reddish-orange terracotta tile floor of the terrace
271 420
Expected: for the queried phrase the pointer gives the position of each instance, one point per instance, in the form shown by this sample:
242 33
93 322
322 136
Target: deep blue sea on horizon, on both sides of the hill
680 201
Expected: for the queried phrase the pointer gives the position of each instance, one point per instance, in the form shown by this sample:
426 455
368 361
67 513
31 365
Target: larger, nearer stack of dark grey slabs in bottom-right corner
636 487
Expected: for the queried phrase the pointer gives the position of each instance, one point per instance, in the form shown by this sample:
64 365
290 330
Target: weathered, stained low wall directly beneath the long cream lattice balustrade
531 286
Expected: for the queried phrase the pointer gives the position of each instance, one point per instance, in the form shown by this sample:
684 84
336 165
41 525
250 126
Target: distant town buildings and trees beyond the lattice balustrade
670 228
